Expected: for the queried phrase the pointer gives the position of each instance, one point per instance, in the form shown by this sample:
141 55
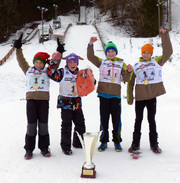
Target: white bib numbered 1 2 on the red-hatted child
37 80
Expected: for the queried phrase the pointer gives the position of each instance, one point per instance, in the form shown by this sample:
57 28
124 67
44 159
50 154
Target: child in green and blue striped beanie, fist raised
109 91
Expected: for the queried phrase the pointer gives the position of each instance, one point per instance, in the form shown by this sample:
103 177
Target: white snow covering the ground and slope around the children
110 165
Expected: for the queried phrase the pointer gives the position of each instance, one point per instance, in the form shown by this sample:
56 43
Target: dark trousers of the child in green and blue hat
111 107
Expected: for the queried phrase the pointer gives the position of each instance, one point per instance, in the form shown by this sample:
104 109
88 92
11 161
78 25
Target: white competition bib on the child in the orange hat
148 72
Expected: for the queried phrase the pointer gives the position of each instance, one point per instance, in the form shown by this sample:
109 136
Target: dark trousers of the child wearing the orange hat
151 112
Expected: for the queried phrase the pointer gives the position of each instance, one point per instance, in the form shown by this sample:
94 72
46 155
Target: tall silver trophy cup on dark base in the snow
88 144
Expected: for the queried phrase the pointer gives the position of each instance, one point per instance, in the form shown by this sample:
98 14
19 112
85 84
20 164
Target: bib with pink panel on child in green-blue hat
110 71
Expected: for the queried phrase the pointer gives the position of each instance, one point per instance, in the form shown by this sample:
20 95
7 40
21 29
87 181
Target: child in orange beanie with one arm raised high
149 85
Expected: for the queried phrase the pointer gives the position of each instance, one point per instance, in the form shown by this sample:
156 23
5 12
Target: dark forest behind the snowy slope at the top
140 16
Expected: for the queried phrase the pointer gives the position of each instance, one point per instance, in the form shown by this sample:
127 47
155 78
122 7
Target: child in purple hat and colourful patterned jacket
69 101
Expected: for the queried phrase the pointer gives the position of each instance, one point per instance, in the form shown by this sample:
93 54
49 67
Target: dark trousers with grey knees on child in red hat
37 116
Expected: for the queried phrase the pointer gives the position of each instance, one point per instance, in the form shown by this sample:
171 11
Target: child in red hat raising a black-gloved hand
37 97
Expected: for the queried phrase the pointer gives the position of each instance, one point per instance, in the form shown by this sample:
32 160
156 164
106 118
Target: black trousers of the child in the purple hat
69 116
